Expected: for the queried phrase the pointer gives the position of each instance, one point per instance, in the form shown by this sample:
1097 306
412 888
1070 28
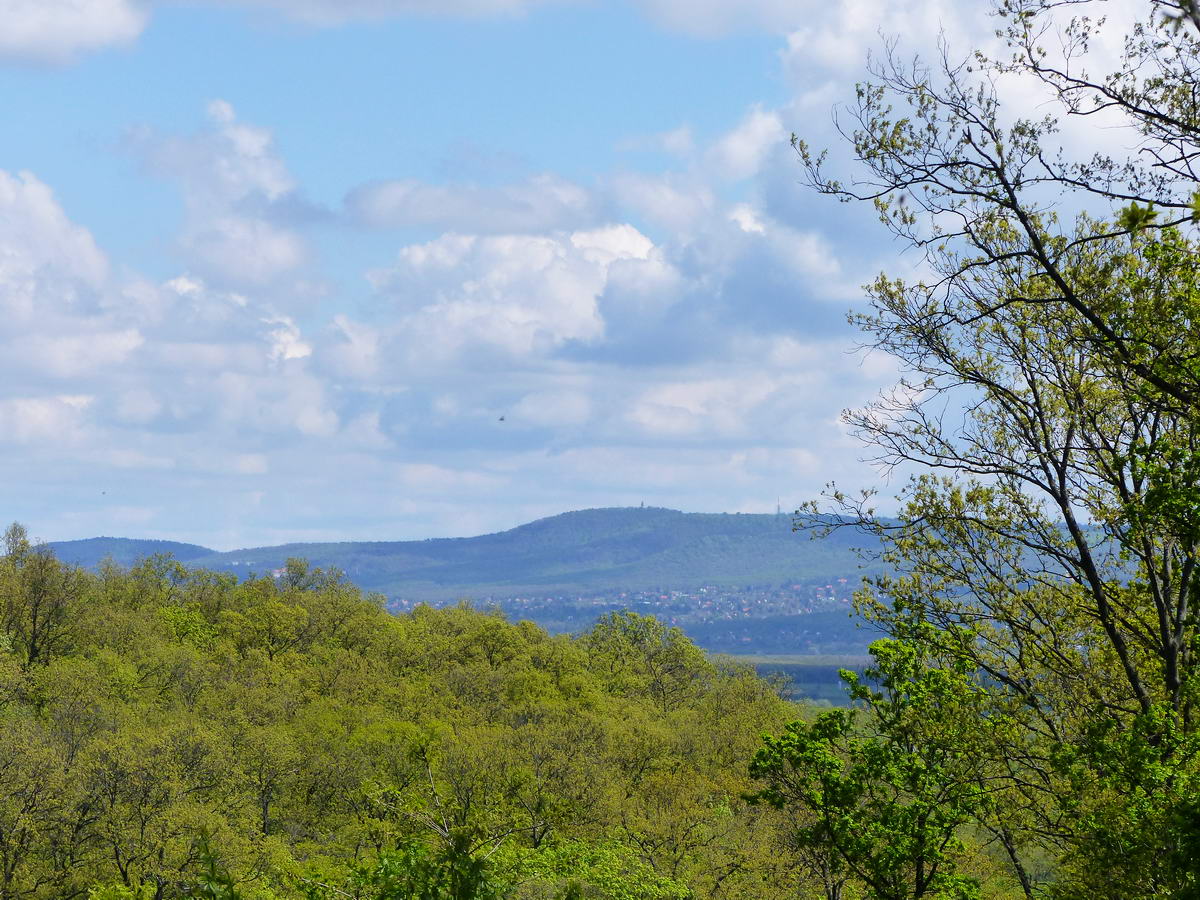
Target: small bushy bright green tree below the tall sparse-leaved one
893 796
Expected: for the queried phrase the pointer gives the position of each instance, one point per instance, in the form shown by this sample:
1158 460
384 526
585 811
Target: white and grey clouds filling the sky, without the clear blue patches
671 334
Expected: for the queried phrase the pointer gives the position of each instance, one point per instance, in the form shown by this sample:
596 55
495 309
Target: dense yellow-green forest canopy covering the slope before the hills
169 733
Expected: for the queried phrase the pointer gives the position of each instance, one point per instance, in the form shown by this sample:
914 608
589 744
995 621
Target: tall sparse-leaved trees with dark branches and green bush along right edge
1046 551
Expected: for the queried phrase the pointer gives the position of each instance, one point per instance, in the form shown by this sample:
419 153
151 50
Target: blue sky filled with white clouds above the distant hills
285 271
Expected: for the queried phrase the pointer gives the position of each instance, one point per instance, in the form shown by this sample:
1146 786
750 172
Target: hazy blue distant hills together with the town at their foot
736 584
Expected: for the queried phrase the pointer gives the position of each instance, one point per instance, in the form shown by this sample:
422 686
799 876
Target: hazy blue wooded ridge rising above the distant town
587 551
